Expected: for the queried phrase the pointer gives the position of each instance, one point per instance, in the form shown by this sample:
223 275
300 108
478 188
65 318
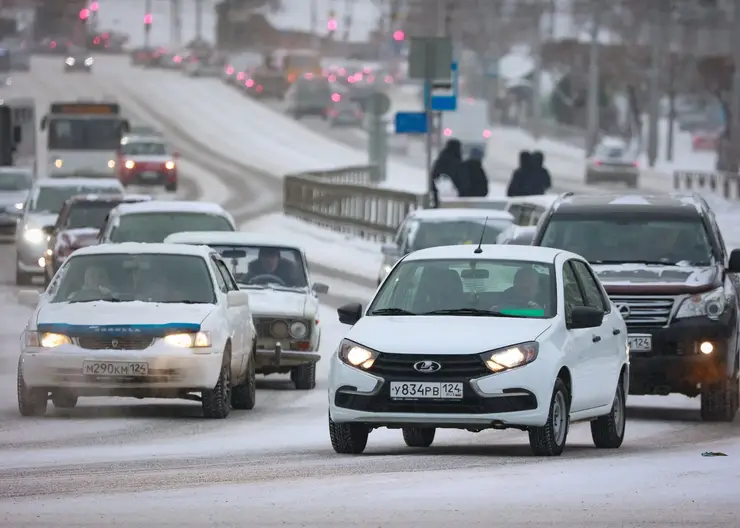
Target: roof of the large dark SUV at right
631 203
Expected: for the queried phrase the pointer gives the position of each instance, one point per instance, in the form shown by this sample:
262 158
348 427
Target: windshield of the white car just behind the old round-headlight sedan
156 226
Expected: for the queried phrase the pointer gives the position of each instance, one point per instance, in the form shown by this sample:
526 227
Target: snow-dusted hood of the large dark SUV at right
629 278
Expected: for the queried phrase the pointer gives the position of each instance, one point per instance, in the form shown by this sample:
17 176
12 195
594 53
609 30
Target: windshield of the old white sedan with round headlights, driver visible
264 266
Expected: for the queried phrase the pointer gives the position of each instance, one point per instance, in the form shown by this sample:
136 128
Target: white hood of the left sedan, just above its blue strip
102 313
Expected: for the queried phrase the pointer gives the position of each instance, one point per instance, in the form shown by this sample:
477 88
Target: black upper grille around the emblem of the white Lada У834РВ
401 367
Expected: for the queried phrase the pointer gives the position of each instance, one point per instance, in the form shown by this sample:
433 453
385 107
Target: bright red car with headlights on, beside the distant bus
147 161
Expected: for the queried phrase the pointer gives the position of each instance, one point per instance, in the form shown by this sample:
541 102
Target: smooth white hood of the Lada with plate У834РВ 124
443 334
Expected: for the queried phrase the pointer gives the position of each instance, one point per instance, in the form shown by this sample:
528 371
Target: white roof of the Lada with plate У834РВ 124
491 252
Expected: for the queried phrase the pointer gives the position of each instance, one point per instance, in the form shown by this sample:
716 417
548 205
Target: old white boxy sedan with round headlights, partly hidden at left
283 301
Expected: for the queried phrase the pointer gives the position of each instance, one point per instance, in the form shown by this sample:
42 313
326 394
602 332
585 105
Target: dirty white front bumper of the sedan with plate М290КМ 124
168 368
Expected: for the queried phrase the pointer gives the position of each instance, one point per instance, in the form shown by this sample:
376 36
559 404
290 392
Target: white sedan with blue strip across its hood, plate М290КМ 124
139 320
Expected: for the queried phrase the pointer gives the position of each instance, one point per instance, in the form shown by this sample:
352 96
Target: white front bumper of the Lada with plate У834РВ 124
519 398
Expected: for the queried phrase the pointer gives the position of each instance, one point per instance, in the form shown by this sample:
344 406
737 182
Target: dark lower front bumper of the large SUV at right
675 363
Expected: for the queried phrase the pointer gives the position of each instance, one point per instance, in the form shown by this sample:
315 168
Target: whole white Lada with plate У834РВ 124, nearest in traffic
492 338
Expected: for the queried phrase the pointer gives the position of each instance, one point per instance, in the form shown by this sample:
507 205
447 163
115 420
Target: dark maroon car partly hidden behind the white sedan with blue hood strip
78 225
